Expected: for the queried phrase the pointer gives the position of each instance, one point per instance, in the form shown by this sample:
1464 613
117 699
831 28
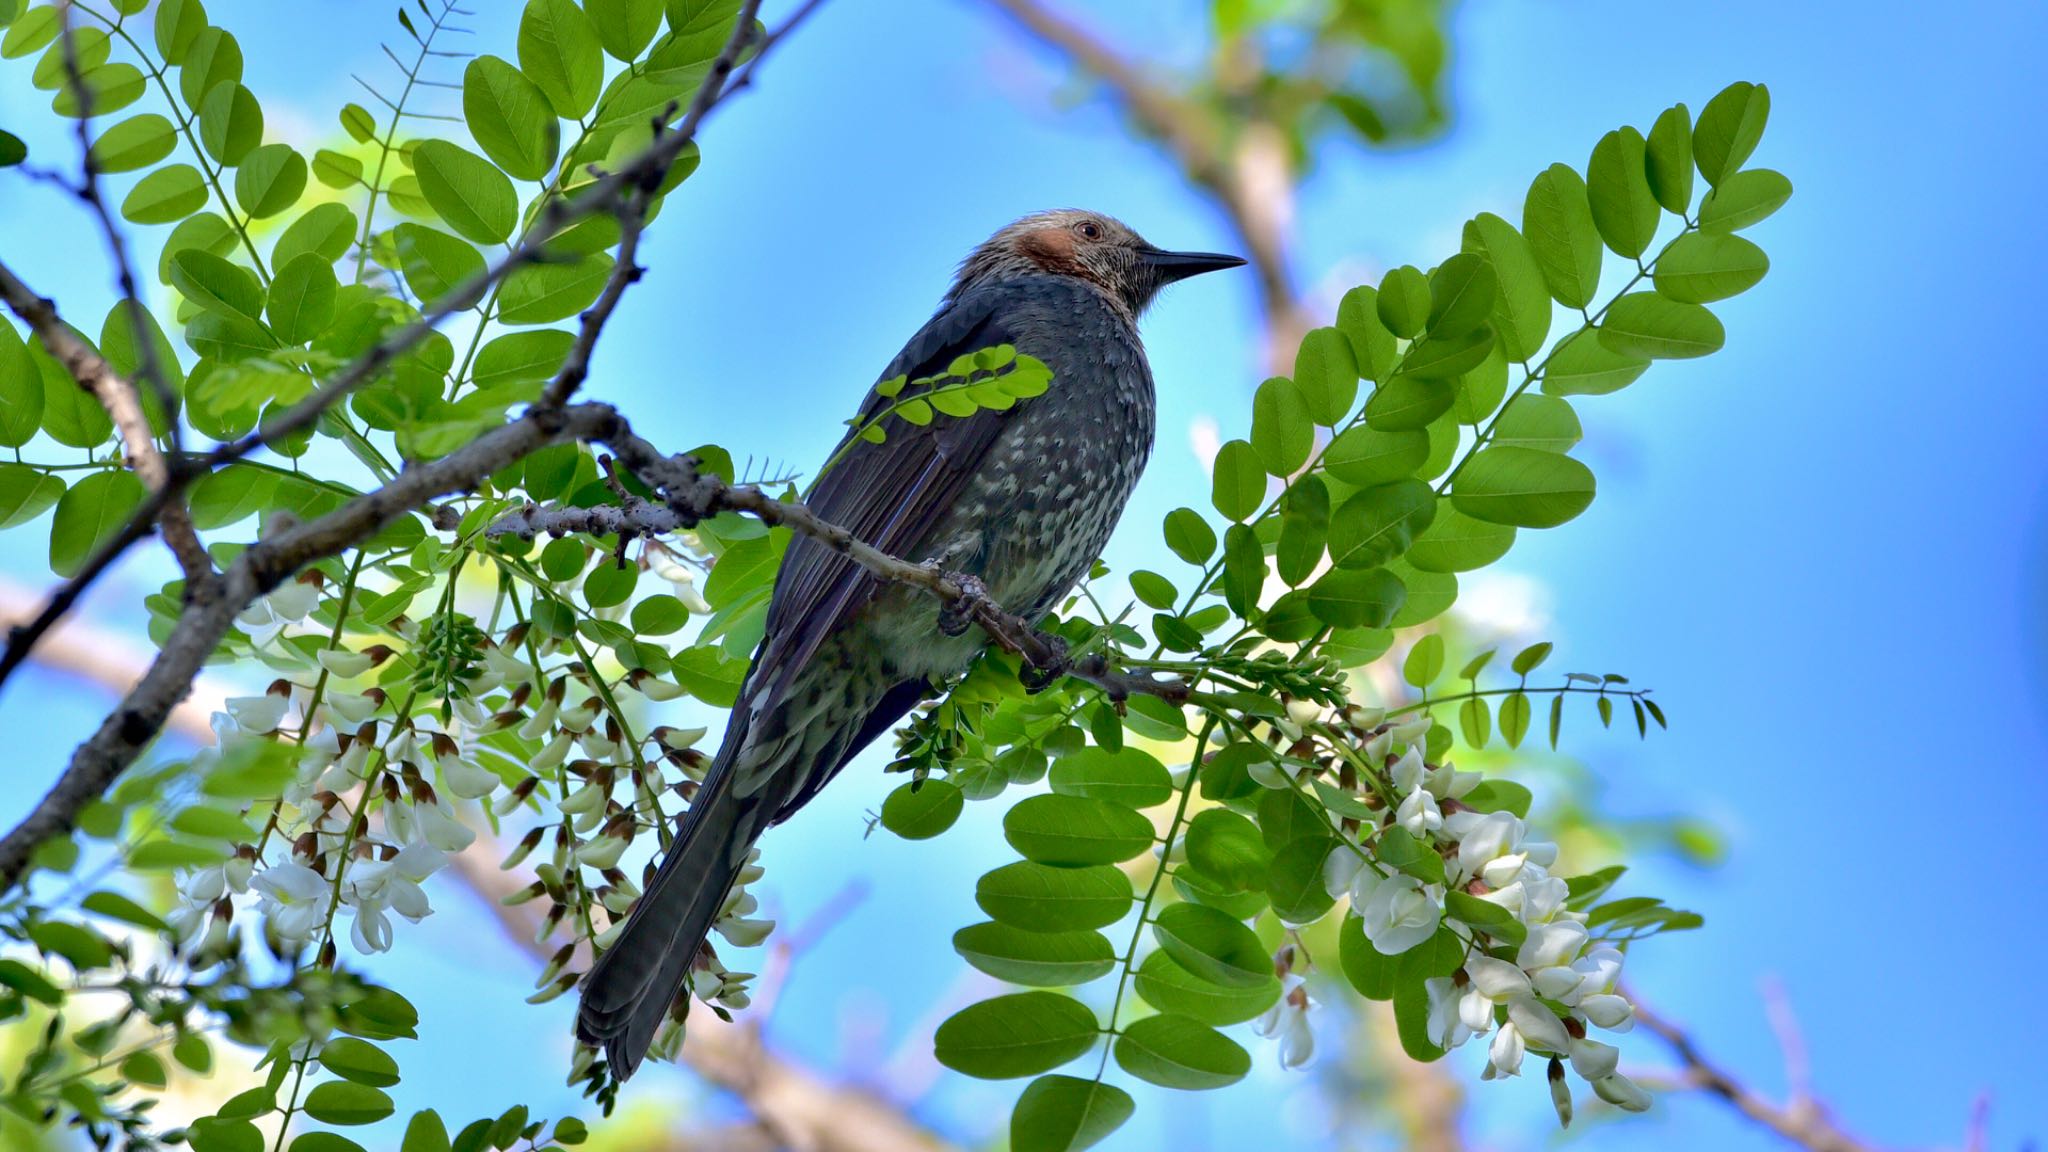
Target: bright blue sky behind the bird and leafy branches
1822 546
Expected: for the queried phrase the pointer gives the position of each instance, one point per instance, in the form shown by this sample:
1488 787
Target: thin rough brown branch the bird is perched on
693 497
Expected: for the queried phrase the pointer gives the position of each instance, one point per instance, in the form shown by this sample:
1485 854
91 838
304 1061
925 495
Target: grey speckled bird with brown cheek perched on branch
1019 499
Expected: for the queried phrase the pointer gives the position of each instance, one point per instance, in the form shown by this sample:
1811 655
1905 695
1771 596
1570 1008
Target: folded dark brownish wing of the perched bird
888 495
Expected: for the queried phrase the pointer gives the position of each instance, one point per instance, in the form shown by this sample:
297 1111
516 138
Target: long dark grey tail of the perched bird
636 981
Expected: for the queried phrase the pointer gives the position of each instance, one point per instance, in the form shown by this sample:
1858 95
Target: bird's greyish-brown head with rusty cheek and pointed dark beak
1091 247
